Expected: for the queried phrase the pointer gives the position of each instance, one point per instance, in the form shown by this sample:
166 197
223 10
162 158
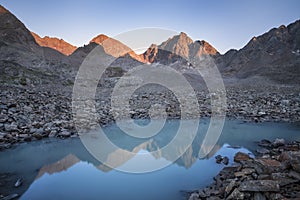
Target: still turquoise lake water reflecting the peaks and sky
63 169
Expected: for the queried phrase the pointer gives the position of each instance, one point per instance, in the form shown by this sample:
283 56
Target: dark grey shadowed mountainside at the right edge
274 55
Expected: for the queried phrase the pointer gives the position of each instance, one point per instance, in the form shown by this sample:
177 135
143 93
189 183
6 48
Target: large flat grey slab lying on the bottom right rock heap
260 186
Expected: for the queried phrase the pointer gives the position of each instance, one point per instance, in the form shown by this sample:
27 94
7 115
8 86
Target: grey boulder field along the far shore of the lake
28 115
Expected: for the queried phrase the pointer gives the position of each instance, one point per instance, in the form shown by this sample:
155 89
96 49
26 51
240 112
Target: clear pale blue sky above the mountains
225 24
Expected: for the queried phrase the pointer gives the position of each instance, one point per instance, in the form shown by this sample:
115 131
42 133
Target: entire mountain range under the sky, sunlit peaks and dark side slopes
274 55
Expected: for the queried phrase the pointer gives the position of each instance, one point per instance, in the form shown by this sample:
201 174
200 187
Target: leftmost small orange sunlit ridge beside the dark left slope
55 43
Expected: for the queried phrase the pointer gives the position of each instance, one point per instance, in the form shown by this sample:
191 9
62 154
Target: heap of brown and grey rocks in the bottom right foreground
273 174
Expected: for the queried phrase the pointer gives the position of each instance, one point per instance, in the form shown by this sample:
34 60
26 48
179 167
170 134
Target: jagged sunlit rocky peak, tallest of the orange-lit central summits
180 47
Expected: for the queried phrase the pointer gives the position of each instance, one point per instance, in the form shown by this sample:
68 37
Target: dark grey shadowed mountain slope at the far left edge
22 60
